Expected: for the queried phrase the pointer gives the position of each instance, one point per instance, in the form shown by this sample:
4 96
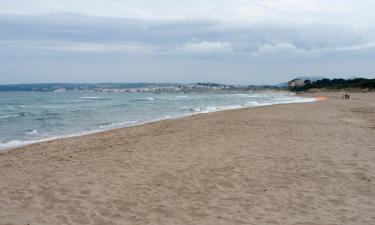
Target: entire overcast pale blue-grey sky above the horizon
183 41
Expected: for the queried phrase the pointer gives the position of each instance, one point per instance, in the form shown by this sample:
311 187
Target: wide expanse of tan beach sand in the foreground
311 163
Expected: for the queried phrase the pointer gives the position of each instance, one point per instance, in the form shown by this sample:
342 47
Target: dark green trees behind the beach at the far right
334 84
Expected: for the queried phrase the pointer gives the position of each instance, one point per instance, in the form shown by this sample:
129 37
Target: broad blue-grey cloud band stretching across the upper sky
165 36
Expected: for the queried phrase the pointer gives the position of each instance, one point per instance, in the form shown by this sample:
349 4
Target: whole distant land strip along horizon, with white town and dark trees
297 85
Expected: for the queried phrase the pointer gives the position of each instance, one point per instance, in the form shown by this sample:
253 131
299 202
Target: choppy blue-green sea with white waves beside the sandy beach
29 117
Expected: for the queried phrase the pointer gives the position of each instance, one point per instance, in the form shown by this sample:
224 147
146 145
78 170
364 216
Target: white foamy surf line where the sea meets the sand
98 131
